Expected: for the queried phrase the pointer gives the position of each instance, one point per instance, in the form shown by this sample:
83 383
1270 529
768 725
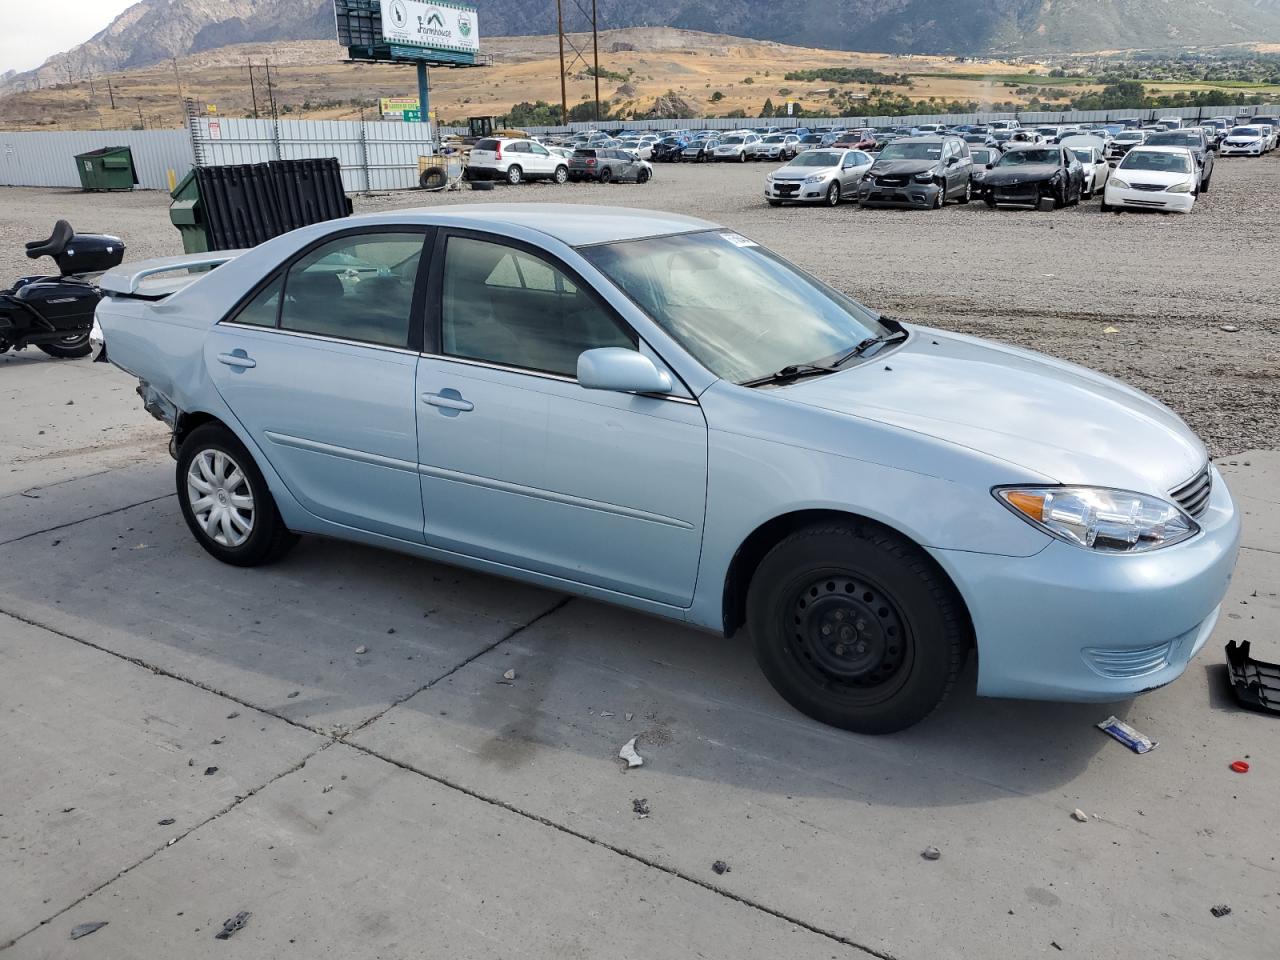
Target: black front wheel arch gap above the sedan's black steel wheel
765 538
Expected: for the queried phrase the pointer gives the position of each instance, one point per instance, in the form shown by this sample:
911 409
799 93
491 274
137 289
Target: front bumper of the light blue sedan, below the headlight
1073 625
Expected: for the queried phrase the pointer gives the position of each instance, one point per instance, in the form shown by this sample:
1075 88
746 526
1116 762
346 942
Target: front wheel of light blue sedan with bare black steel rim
856 628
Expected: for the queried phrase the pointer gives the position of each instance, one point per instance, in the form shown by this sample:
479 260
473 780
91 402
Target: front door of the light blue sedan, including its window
523 467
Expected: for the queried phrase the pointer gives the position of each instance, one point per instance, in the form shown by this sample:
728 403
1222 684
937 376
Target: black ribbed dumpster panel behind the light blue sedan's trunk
243 205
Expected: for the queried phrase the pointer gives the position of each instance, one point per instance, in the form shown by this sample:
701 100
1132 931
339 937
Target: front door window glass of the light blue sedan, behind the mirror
508 307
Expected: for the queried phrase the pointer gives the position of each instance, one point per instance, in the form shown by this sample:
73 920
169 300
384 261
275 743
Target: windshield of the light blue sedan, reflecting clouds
742 312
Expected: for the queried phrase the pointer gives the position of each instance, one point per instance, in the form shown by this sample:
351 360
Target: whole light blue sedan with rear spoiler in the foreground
660 413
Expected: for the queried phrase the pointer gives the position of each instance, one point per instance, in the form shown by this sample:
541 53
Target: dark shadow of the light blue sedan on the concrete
337 634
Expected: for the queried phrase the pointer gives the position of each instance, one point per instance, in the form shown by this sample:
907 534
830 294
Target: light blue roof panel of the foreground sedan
574 225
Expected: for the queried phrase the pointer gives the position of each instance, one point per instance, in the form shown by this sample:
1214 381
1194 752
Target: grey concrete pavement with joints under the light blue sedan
470 817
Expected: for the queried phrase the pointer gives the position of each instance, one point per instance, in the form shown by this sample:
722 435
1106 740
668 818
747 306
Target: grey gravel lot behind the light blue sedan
1053 282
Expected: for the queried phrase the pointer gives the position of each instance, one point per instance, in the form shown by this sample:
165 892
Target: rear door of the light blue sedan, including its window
319 367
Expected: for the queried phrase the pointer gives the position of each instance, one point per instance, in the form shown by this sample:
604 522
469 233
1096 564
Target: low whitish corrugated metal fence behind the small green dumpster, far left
45 158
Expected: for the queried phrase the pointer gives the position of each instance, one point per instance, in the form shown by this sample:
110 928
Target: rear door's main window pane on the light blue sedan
355 289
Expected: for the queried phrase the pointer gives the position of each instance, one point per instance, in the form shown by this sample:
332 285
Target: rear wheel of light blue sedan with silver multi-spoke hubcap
226 501
